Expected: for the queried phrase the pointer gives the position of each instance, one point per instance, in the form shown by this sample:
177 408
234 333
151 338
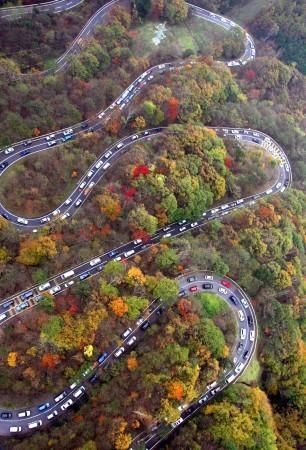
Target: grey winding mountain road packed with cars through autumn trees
23 421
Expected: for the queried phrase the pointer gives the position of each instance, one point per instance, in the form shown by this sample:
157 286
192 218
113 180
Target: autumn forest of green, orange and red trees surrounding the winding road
177 176
